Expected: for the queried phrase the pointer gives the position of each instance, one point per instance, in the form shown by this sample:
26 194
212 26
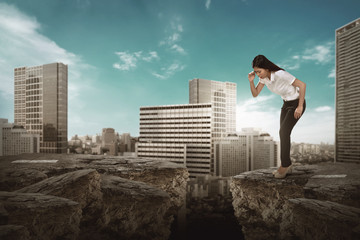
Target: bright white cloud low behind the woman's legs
315 126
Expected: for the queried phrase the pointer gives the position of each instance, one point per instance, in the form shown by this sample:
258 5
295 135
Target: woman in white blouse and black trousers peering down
292 91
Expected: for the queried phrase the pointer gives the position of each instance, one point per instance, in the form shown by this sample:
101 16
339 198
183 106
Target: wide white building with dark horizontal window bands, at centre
178 133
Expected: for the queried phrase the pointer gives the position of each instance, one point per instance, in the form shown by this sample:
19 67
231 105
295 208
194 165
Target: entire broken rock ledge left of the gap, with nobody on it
88 197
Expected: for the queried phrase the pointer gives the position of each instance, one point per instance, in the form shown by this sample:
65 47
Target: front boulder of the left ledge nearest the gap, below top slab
134 210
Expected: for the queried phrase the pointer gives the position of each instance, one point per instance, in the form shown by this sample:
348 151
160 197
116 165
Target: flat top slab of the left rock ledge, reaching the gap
168 176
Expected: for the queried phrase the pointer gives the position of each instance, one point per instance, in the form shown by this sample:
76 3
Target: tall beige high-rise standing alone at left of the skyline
41 104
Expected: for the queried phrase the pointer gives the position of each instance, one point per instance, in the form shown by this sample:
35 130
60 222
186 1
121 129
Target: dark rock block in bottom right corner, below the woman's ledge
333 221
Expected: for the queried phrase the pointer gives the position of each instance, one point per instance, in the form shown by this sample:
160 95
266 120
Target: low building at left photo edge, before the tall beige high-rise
14 139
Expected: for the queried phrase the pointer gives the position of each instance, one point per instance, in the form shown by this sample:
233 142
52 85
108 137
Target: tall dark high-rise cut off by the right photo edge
347 136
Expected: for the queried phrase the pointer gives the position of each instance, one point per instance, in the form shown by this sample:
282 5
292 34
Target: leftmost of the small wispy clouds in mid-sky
128 61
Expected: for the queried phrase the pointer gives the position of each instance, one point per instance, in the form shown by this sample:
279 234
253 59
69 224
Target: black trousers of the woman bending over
287 123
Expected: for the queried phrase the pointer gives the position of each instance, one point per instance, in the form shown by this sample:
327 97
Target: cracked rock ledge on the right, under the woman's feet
314 202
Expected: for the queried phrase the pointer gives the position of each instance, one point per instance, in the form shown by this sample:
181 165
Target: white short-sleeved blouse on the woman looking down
281 83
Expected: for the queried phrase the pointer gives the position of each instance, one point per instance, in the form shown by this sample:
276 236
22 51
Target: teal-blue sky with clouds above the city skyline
129 53
